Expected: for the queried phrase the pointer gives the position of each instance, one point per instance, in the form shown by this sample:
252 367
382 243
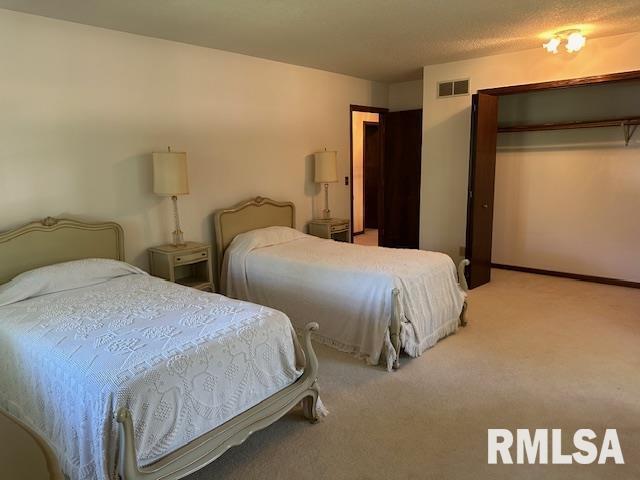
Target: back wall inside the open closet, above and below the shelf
568 200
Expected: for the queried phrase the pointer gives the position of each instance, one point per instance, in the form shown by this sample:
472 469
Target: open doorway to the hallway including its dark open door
386 152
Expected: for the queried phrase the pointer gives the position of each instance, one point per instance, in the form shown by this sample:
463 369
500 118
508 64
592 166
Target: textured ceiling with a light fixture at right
386 40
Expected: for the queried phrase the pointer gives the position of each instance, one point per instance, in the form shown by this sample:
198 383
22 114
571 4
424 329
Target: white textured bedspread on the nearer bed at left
181 360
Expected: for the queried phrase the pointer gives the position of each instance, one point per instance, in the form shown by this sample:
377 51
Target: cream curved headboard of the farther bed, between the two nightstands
258 212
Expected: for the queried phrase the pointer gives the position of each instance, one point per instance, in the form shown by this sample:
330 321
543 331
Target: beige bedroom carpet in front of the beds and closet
539 352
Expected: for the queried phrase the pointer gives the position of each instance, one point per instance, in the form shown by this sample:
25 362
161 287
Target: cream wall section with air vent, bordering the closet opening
445 142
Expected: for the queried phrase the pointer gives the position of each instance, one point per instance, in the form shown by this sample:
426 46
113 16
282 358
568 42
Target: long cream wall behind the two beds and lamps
84 107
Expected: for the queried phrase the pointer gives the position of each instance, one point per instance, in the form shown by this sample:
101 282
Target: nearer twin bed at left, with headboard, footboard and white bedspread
123 373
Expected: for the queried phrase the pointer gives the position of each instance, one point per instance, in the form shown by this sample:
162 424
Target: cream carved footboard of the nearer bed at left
205 449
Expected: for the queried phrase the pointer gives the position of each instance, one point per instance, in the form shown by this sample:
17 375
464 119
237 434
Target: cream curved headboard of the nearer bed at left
54 240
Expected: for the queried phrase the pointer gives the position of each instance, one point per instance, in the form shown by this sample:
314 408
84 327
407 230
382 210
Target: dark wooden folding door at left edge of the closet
482 171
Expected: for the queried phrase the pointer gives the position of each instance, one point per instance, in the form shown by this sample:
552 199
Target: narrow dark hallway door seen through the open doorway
371 160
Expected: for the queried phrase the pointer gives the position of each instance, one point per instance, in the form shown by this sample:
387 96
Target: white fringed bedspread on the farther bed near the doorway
347 289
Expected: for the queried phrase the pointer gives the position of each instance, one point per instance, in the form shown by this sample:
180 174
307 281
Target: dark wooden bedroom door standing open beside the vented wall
401 167
